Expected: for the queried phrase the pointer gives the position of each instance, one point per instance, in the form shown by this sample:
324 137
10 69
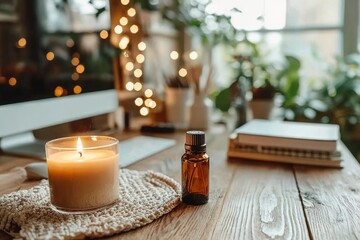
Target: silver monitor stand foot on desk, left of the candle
23 144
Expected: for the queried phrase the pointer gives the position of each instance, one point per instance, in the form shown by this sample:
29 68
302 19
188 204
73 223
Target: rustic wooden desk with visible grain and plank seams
251 200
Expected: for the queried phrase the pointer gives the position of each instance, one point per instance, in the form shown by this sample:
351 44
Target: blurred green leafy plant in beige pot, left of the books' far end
263 79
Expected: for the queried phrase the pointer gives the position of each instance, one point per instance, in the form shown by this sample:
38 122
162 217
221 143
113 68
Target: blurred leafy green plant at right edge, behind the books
336 101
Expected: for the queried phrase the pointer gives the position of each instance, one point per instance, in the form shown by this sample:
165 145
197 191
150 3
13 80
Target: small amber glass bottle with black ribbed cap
195 169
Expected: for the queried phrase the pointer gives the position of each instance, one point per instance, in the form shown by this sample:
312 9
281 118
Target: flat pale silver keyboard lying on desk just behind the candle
140 147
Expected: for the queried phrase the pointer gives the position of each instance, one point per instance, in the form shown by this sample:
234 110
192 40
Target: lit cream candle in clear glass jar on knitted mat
83 172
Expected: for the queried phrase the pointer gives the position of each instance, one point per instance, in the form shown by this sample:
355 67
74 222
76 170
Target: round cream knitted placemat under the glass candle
144 197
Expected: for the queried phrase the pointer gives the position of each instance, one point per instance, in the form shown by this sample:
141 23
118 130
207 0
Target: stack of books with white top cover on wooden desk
289 142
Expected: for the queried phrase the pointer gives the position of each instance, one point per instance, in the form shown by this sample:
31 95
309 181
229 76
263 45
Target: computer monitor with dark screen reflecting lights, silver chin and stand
54 68
